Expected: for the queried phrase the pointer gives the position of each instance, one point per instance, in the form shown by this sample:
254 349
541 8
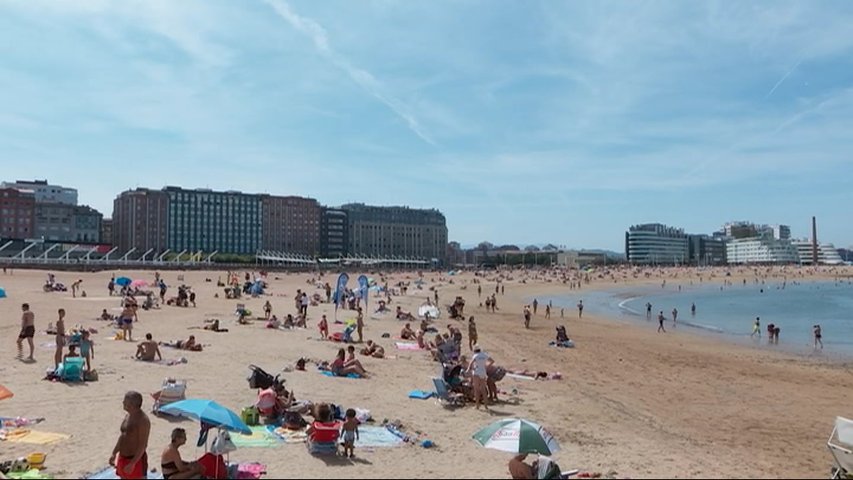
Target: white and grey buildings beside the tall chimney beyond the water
736 243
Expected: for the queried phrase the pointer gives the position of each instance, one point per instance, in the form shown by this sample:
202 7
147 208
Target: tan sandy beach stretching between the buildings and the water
631 403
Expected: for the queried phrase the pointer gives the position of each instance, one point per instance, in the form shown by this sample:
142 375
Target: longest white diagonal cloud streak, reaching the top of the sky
361 77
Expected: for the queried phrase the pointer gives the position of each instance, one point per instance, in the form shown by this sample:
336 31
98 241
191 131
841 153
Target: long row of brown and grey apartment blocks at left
176 219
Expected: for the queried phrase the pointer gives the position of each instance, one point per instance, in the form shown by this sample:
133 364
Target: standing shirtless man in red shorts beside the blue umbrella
129 457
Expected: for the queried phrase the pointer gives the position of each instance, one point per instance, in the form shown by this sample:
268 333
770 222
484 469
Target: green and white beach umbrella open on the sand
515 435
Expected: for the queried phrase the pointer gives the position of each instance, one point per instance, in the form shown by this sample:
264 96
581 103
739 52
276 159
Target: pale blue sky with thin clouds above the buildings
524 122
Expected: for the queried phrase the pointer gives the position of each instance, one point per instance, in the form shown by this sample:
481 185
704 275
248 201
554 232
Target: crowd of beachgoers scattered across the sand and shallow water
473 376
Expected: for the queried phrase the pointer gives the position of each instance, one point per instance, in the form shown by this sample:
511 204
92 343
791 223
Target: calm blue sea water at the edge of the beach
730 312
